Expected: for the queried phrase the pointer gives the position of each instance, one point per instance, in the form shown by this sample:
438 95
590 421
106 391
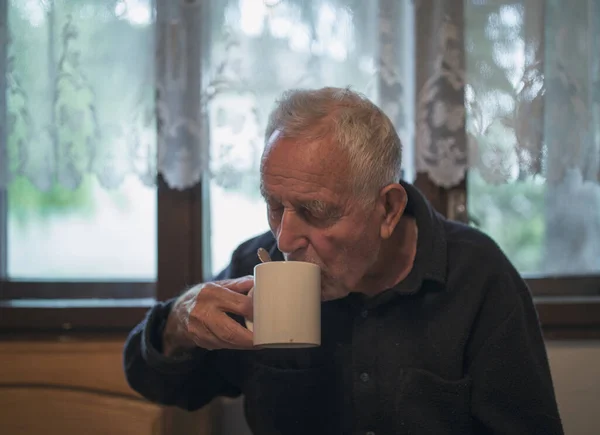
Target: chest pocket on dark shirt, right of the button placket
428 404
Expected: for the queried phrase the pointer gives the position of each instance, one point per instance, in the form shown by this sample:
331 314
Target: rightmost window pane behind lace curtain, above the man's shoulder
533 112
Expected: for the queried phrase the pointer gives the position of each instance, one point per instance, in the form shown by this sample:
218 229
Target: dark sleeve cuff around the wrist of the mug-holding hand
152 344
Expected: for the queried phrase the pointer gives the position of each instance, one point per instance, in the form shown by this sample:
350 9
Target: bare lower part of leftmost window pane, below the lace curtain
53 236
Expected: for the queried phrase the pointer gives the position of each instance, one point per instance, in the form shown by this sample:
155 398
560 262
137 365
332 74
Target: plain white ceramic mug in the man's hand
287 305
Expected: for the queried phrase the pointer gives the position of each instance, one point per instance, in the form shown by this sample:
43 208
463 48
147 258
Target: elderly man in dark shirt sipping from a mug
426 326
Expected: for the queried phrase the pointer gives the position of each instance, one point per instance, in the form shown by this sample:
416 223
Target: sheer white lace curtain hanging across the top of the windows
506 89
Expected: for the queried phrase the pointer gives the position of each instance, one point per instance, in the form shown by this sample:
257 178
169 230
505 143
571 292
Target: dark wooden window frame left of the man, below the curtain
123 304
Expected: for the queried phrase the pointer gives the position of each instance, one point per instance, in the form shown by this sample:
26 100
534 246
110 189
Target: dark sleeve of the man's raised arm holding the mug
188 380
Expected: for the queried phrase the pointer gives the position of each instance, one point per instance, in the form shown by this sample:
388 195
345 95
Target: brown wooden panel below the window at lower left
77 386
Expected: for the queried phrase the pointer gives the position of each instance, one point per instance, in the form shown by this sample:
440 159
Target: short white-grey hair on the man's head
353 122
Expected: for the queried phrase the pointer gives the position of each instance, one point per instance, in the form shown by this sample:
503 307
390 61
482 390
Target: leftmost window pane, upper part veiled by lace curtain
79 216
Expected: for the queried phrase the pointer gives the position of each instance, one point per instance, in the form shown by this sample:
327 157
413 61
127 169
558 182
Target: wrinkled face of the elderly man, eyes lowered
316 217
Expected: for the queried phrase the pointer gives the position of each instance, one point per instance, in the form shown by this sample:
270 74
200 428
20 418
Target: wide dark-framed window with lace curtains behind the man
90 235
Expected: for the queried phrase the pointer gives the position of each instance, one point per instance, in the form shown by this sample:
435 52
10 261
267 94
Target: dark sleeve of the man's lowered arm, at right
512 390
